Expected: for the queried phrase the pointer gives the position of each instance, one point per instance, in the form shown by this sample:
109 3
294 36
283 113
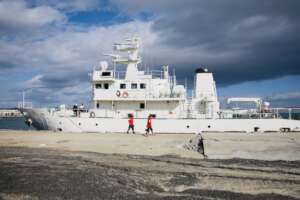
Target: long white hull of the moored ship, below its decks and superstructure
44 119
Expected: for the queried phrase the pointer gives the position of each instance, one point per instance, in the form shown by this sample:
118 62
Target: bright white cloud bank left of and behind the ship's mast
59 64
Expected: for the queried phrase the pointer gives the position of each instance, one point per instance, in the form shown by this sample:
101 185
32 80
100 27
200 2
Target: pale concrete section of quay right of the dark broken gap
261 146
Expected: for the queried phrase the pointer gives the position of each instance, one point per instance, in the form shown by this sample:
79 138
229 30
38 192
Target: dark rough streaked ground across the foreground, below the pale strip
35 173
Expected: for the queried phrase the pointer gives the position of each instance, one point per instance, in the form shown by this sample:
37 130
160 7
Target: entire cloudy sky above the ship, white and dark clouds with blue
48 47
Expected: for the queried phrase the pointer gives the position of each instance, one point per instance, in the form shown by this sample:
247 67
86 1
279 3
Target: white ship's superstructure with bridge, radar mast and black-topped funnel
156 92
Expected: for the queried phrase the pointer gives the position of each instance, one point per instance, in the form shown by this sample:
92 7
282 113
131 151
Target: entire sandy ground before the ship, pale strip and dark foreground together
48 165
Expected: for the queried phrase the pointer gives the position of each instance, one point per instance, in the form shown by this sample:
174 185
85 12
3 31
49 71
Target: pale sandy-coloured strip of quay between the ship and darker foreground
261 146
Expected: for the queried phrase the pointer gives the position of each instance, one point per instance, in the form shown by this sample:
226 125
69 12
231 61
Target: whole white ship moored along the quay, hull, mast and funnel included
140 93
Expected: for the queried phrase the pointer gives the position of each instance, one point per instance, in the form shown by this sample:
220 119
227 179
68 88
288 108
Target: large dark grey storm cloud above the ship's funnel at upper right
238 40
